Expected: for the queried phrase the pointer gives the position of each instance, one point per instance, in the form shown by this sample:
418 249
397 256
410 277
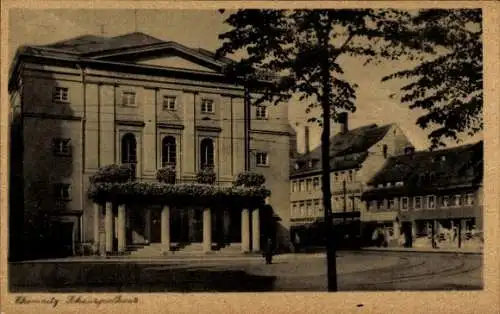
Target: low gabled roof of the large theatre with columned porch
121 50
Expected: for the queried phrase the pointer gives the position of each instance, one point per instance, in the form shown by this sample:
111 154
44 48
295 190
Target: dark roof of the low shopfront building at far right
457 166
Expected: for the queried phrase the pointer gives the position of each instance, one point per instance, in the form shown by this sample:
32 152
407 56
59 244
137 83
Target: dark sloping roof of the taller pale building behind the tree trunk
347 150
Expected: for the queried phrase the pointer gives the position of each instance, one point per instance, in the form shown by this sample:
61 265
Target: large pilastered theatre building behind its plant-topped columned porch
90 101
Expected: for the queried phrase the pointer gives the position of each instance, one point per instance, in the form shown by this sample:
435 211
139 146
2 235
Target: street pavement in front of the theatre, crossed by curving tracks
357 271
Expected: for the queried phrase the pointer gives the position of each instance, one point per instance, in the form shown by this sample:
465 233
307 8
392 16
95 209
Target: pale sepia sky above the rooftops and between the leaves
200 29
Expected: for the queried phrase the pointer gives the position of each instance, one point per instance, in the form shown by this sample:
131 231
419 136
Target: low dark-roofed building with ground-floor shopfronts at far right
421 195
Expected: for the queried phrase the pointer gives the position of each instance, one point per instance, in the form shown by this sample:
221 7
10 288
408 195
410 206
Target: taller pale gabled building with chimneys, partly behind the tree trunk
355 156
